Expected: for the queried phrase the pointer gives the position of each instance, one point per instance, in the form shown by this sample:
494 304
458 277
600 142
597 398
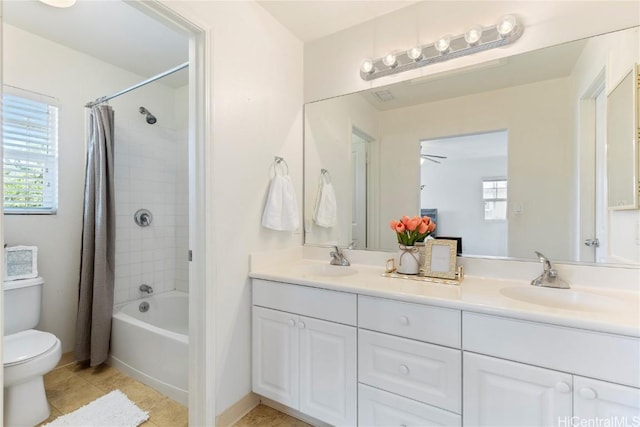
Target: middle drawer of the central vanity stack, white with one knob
425 372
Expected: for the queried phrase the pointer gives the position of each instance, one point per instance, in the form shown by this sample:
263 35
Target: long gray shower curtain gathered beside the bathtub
95 304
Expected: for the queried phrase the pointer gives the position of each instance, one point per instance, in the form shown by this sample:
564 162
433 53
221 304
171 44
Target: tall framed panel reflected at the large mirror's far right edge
622 143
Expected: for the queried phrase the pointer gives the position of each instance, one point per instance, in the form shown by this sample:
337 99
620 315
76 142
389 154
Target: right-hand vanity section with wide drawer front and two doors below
542 383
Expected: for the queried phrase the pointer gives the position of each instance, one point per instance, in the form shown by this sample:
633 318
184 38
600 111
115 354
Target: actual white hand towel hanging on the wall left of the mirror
281 210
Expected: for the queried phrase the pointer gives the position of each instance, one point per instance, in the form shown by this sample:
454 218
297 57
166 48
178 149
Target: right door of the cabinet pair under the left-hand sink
328 382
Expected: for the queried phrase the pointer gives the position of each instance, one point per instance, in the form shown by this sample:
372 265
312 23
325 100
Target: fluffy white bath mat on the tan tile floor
111 410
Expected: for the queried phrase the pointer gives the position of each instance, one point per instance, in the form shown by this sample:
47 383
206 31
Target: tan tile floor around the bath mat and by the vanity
71 386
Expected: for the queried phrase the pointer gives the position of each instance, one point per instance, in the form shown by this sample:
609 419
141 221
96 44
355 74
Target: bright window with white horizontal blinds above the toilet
30 157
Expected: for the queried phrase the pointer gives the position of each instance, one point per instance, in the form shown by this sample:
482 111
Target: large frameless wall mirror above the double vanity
508 155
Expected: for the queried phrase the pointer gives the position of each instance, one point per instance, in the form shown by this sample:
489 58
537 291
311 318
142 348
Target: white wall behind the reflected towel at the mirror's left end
328 128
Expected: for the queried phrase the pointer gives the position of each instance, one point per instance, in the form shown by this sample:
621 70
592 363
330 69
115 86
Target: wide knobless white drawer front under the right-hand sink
593 354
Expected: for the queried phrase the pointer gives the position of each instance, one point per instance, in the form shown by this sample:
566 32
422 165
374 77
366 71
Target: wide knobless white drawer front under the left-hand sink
340 307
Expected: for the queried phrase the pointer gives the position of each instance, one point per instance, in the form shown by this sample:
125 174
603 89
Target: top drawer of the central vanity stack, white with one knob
421 322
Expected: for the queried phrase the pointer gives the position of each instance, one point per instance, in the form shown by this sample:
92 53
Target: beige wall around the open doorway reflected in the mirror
530 146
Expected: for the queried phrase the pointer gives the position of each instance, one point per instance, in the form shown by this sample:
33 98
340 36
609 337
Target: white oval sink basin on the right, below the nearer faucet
566 299
